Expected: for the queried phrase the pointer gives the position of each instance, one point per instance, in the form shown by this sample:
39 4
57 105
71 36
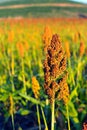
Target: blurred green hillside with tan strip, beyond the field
40 10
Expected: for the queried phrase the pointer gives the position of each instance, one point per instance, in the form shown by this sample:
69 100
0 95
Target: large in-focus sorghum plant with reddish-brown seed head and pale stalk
55 74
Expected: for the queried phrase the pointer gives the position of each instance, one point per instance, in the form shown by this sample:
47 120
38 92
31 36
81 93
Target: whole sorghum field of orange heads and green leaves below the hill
43 74
